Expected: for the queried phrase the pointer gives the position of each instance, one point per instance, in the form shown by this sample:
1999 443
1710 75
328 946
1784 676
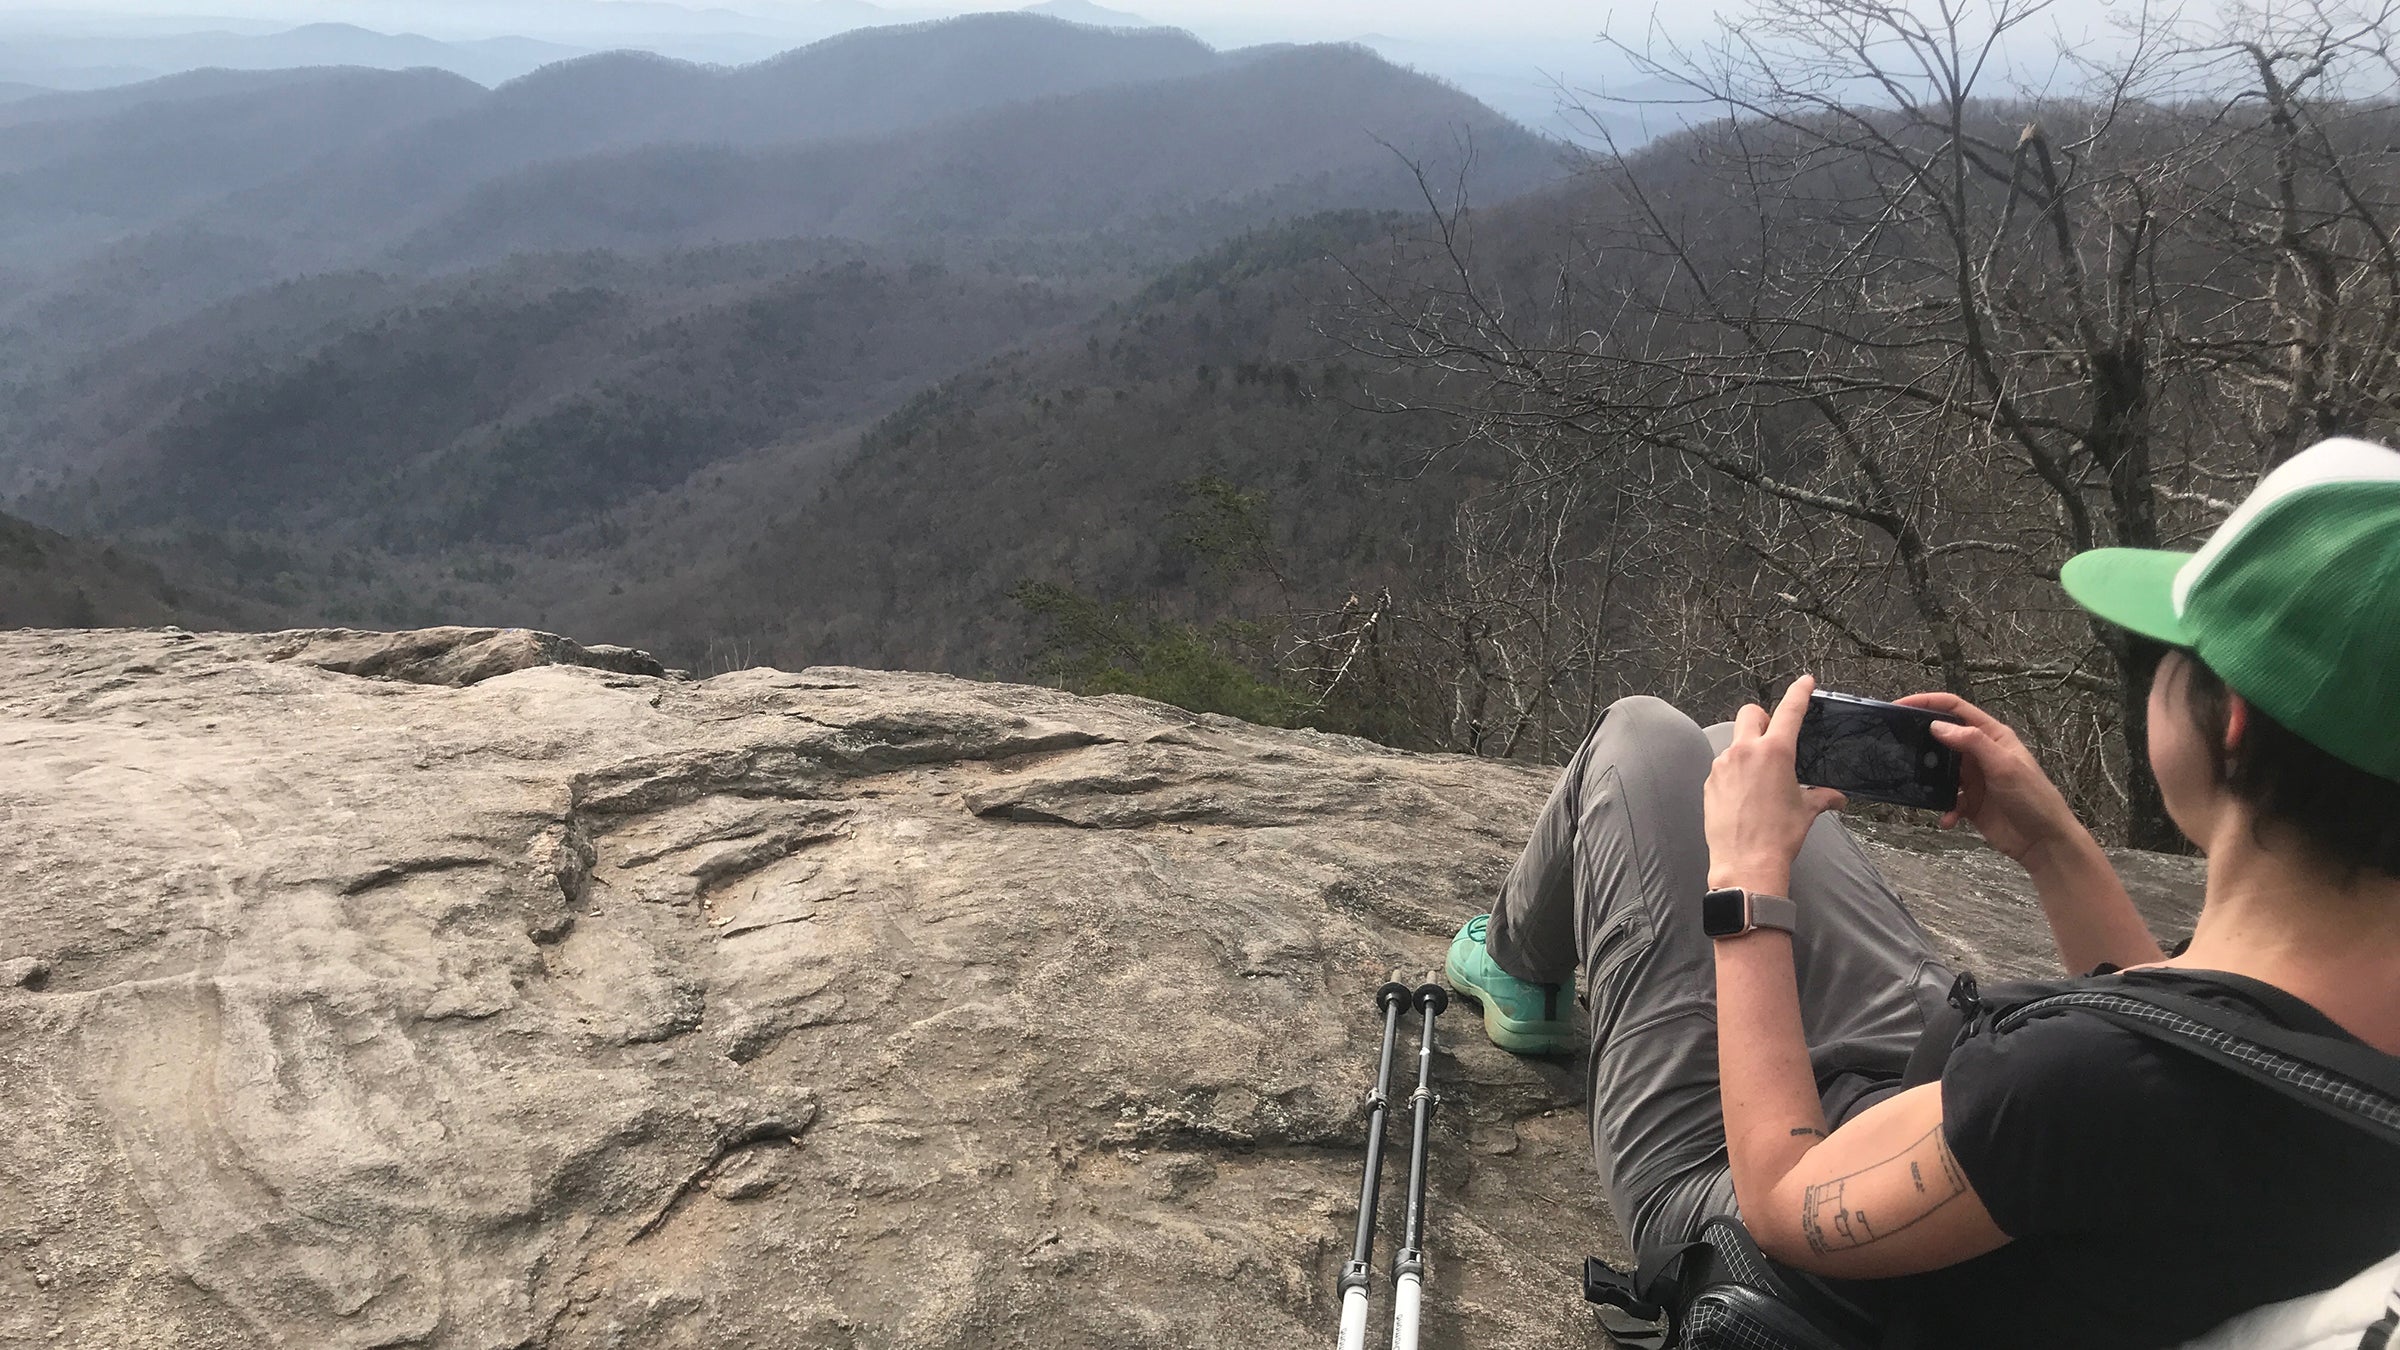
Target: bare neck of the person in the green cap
2279 916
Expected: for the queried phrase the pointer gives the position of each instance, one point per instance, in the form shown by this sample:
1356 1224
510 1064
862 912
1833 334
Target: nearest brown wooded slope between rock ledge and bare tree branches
1067 462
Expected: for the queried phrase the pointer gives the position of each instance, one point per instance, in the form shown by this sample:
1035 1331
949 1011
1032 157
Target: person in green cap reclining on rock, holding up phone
2065 1183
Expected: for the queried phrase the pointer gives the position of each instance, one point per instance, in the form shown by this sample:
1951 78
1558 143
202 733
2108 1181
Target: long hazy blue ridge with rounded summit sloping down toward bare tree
1192 160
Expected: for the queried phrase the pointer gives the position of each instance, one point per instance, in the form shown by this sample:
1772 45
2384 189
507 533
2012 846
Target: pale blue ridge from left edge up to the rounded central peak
342 198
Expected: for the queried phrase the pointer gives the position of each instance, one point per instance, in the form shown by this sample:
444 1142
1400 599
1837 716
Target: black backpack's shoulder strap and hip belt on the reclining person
1722 1294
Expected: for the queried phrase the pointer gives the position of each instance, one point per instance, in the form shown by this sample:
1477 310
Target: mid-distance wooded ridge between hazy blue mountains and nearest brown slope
508 407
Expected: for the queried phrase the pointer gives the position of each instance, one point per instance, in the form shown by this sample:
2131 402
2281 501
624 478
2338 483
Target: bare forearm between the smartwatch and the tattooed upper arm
1770 1092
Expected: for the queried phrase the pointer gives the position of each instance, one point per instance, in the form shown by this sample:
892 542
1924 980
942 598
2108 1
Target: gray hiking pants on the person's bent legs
1609 892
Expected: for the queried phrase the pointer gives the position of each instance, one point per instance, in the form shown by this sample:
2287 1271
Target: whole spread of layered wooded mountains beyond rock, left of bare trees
596 347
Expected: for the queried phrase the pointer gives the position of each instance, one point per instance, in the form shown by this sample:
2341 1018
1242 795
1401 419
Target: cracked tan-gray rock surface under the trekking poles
462 991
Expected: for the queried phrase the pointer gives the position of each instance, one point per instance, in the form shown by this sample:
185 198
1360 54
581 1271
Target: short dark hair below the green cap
2346 816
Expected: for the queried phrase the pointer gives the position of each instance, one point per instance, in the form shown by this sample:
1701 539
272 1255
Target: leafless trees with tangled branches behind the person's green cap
1885 340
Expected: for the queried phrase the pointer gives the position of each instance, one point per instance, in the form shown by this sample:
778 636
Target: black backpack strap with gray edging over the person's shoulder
2339 1077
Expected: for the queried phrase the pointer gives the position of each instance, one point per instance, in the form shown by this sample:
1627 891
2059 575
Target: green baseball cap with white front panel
2296 602
